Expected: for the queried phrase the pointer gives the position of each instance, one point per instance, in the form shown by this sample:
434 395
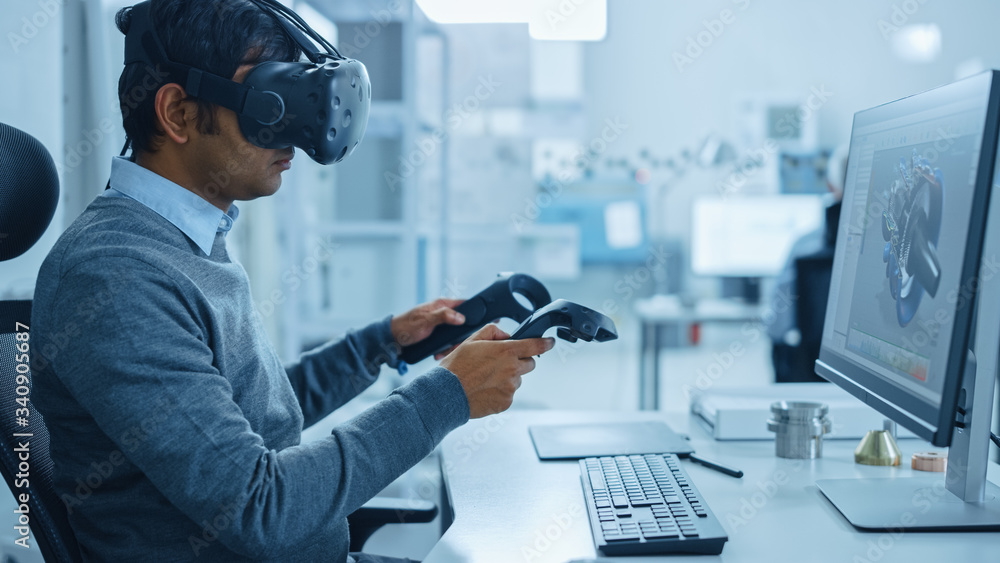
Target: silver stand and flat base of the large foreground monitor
964 500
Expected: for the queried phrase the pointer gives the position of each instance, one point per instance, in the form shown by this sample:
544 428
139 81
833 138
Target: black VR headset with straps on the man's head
320 106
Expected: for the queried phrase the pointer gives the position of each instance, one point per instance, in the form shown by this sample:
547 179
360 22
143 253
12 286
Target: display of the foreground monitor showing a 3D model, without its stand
910 232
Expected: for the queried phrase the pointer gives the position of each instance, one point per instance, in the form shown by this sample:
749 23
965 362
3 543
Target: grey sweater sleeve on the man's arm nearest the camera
148 347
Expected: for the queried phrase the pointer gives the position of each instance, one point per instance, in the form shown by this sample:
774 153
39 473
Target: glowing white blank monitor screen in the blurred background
750 236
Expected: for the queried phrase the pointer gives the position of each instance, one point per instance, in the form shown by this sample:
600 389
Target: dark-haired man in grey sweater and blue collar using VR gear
175 429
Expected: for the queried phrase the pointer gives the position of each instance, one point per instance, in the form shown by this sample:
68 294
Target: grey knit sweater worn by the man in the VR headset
175 429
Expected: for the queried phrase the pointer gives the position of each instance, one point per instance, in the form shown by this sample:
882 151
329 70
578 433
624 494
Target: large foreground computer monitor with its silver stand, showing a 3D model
913 318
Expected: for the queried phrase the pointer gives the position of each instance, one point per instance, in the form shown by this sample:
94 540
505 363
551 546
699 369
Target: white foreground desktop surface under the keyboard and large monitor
509 507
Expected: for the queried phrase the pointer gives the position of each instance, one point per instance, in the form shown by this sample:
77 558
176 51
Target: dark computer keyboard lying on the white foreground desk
646 504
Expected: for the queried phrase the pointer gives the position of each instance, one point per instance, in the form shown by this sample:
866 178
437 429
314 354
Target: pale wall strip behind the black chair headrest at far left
31 53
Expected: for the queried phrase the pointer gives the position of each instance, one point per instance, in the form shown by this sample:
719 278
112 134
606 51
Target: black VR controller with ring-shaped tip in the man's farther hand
495 302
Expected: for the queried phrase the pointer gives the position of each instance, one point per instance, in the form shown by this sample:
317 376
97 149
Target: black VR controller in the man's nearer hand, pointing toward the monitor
575 322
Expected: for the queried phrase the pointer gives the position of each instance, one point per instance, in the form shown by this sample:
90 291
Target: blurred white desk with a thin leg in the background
667 311
